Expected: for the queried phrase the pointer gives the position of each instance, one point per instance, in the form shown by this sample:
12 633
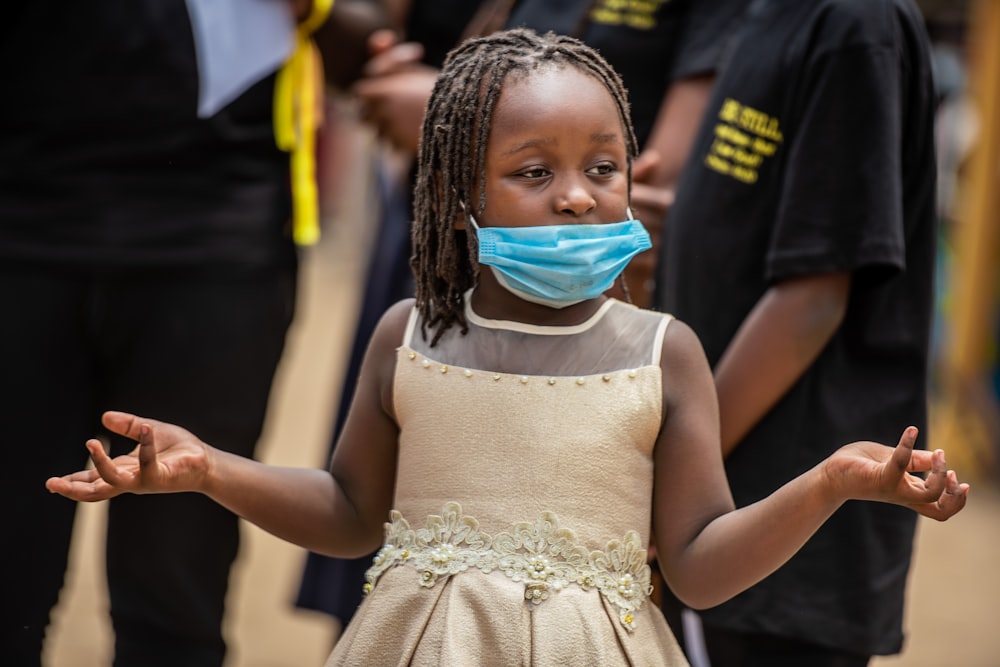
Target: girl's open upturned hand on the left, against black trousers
166 459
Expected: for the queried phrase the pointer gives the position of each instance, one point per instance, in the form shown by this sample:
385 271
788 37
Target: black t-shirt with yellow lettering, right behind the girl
816 155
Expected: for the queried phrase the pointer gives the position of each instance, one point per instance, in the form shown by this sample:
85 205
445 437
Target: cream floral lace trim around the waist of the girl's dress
542 555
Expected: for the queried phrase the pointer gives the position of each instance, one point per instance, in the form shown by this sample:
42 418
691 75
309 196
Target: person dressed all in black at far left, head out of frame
146 264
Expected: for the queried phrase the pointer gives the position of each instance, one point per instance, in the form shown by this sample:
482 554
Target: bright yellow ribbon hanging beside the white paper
298 113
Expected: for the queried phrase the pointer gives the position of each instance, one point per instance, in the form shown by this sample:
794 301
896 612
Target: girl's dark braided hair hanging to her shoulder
452 156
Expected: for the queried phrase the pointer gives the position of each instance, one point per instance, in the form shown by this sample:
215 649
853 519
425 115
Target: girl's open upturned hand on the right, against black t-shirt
871 471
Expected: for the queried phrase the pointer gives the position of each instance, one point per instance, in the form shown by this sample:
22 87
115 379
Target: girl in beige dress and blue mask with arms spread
525 435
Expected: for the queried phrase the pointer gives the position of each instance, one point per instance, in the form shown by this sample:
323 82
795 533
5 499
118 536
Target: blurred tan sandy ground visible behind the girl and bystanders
954 594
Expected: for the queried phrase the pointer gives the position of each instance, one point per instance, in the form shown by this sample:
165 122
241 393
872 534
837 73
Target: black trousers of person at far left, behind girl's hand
200 351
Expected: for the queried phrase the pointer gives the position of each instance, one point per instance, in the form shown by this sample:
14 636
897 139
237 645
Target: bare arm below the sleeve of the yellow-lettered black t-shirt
781 337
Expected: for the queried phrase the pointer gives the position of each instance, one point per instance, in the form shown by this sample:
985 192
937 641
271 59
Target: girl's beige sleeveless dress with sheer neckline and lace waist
522 500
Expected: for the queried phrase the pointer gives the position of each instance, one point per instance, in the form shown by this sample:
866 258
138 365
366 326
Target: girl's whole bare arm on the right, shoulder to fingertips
708 550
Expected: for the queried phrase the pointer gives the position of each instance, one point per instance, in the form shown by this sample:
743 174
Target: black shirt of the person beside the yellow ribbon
104 162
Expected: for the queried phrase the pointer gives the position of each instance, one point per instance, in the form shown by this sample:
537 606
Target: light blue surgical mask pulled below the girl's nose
560 265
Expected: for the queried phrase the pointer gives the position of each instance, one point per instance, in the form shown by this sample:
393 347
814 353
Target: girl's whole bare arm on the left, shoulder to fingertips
338 512
